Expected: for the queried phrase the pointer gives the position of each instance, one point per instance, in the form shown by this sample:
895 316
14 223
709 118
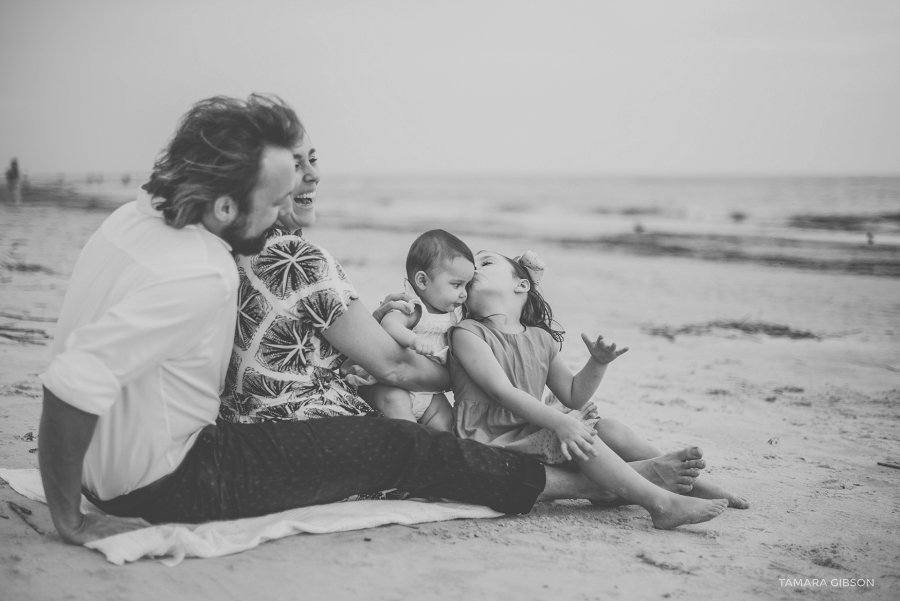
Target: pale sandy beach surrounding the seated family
787 377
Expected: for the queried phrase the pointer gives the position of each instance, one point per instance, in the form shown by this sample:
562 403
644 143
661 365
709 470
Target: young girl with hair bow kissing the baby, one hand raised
501 360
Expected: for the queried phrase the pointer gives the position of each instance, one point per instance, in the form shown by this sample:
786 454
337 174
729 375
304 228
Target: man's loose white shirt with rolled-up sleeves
143 341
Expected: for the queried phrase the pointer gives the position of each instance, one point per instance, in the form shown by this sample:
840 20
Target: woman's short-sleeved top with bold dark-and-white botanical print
282 368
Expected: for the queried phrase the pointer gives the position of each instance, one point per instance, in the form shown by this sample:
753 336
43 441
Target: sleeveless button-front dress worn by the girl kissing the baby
525 358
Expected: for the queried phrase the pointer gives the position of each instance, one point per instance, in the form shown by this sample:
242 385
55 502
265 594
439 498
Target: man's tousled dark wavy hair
216 151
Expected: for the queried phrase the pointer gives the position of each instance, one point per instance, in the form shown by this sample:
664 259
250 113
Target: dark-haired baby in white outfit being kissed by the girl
438 268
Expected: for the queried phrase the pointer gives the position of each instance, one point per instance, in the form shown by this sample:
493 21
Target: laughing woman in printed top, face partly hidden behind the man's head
299 319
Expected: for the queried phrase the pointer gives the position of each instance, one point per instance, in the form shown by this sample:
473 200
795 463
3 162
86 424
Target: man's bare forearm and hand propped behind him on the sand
63 440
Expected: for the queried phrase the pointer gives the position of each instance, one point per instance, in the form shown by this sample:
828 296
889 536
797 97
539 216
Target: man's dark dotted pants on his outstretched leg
245 470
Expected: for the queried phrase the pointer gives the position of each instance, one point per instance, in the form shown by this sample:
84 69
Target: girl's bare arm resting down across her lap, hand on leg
478 360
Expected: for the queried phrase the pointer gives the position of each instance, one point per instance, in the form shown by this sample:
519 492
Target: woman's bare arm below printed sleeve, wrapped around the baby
356 334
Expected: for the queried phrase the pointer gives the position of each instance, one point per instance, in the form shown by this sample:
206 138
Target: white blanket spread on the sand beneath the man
213 539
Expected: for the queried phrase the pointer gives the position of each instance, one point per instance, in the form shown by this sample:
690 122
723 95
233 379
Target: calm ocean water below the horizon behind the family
805 209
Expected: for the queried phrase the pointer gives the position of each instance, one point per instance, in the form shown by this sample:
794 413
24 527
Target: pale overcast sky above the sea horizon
482 87
